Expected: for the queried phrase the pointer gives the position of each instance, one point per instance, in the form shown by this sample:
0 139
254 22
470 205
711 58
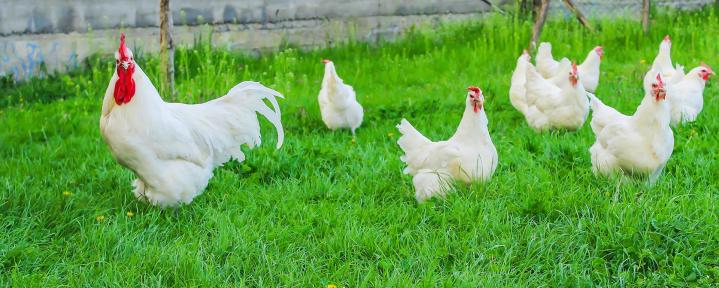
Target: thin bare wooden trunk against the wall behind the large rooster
167 49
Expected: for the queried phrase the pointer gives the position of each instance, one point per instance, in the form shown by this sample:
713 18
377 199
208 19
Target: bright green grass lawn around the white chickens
326 210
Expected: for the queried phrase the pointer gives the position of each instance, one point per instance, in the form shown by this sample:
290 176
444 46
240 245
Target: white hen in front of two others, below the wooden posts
560 102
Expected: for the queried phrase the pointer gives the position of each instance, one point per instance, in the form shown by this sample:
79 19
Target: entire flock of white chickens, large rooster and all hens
173 148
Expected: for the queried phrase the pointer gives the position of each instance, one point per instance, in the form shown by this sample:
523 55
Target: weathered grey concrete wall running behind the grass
61 33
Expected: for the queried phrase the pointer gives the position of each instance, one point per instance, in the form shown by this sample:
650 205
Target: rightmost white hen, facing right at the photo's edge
686 95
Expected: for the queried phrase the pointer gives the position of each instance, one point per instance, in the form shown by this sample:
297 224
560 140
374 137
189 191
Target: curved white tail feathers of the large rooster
257 92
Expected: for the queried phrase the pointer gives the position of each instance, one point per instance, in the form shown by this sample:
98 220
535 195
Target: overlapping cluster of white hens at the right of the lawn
557 95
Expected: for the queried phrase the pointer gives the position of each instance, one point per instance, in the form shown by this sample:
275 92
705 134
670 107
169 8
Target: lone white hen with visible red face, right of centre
469 155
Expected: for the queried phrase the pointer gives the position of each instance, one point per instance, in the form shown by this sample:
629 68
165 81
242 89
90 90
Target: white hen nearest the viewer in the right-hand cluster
641 143
